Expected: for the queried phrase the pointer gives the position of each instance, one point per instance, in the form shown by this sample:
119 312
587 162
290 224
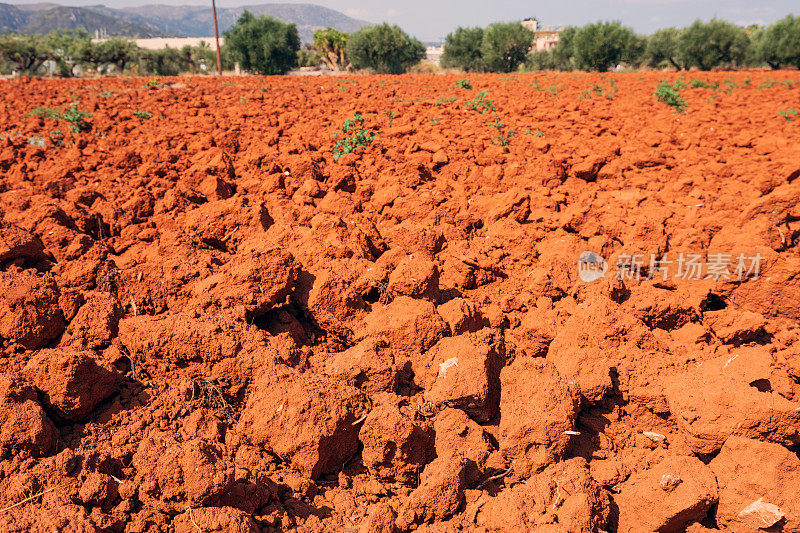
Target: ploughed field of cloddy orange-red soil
210 324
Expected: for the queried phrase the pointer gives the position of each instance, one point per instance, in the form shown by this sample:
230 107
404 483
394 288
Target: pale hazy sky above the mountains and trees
431 20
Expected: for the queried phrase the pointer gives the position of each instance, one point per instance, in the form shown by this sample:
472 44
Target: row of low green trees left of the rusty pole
69 53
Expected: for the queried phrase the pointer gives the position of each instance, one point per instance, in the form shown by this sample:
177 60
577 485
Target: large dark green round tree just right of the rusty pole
263 44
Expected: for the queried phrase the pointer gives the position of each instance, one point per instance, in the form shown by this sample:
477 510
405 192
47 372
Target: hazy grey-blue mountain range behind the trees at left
165 21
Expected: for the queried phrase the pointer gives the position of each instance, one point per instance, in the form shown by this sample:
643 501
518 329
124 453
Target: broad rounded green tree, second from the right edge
712 44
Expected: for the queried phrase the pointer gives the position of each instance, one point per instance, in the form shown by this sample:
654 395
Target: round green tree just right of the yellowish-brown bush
384 49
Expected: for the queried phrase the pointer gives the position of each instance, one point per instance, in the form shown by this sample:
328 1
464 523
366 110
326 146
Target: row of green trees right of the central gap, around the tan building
604 45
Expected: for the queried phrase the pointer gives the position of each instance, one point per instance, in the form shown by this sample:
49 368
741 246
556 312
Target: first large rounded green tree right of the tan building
603 45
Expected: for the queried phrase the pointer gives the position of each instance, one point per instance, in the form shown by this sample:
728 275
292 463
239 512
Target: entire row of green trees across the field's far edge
268 46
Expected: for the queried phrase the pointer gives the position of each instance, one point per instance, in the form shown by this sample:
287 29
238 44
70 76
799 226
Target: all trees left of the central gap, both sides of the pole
263 45
